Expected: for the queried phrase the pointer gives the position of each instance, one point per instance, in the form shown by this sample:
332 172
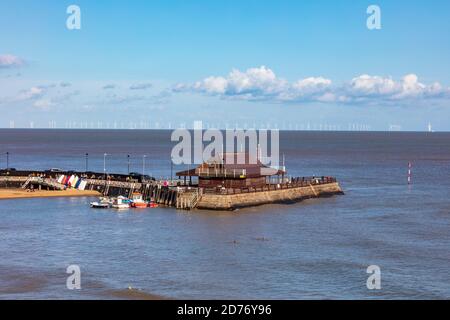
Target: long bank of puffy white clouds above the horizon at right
262 84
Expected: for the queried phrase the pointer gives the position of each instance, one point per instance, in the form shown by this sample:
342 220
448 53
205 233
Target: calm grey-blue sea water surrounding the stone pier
315 249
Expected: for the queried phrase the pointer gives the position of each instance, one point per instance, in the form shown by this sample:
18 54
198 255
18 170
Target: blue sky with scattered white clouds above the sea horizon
266 64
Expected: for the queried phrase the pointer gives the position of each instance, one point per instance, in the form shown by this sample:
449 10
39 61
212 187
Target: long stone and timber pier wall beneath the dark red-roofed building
176 193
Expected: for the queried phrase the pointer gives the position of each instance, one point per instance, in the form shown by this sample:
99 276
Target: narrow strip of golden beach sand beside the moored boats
20 193
